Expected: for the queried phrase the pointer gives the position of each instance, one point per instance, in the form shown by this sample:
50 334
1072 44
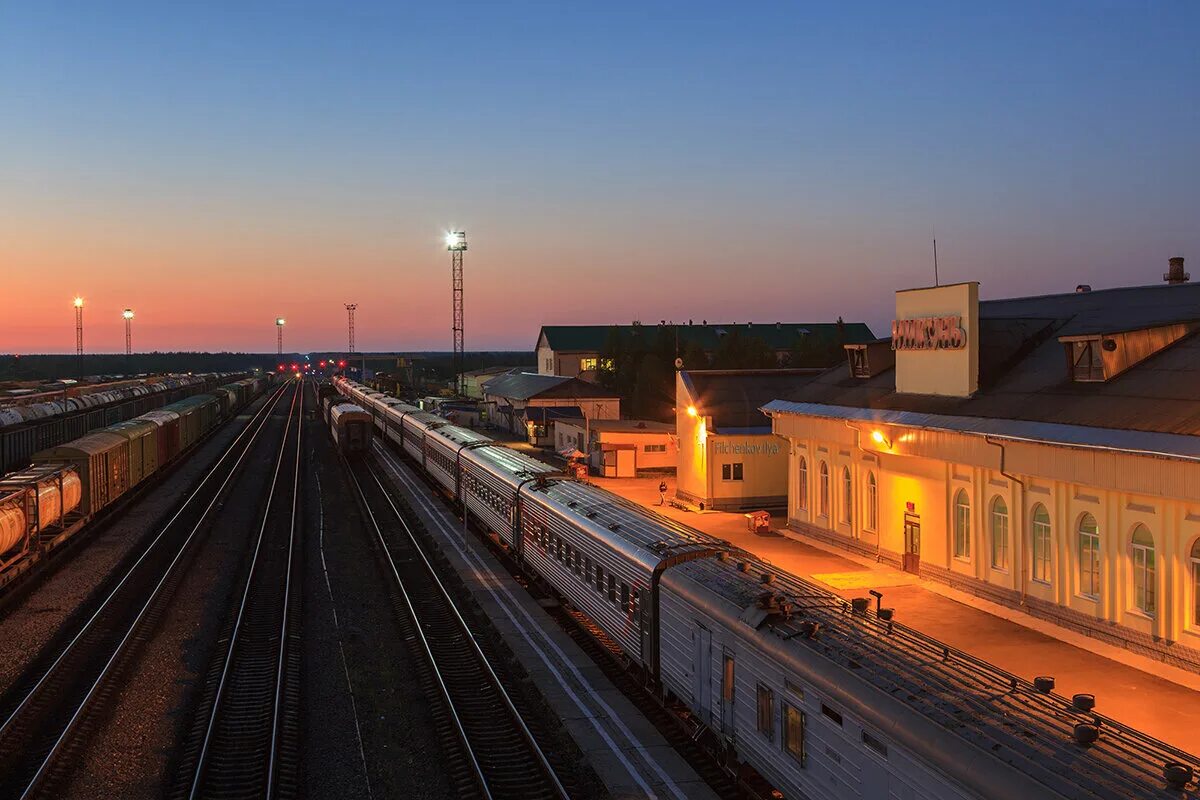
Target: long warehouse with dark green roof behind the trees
578 351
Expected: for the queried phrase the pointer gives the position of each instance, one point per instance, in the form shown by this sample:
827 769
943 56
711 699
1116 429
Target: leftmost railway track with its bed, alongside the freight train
47 714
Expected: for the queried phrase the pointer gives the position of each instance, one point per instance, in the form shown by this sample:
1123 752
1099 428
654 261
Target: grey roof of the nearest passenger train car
970 701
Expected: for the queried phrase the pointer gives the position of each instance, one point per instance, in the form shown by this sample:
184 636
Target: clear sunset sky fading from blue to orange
218 165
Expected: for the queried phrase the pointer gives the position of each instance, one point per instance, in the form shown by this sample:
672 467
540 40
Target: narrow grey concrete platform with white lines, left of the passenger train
626 750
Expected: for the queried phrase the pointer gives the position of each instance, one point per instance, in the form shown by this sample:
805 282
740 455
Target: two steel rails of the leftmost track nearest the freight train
262 417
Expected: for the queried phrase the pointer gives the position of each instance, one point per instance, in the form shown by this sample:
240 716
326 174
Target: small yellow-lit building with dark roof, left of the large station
729 458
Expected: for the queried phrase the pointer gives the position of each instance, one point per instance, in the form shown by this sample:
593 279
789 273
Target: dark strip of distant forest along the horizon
55 366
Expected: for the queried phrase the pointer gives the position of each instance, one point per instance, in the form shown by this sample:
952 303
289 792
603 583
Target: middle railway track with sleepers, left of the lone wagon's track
245 741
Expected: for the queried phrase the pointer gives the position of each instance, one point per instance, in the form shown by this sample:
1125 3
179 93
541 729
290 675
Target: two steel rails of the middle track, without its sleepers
227 667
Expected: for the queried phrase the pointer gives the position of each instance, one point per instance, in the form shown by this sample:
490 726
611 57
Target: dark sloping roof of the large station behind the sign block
1025 374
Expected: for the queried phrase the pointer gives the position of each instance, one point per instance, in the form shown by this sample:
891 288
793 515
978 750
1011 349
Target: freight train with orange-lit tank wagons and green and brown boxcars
68 484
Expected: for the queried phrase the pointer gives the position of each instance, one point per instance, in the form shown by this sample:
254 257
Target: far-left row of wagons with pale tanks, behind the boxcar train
31 428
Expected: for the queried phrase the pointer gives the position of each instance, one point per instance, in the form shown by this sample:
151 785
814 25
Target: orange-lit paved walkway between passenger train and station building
1129 688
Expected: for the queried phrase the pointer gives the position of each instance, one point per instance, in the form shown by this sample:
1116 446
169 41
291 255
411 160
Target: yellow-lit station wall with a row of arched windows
1162 495
